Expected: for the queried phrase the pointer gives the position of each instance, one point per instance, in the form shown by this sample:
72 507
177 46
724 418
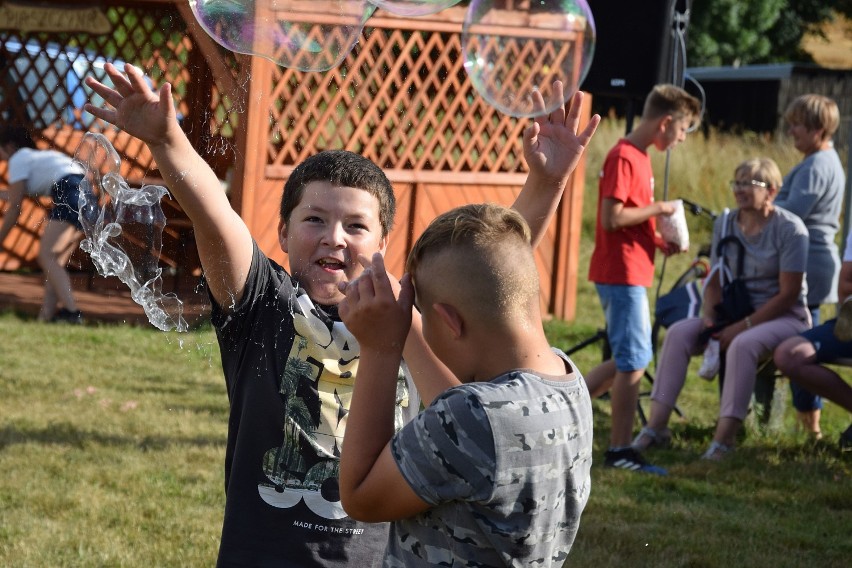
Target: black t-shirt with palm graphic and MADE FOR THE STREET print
289 369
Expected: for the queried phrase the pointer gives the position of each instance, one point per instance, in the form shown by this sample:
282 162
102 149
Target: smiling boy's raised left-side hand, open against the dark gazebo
138 110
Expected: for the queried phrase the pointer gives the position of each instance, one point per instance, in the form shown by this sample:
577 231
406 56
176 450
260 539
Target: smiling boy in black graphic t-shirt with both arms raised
288 360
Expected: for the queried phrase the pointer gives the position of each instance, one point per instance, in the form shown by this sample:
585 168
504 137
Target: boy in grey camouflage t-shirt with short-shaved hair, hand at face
495 472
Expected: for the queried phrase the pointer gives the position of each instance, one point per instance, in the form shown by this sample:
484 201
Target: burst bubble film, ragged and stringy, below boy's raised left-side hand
124 230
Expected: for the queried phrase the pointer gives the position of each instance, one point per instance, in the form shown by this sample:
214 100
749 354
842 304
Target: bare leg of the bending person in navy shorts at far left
53 255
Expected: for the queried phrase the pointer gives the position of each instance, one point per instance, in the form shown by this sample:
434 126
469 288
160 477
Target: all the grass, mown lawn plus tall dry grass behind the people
112 439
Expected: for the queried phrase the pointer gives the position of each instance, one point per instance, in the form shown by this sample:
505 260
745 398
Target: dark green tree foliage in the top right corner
734 32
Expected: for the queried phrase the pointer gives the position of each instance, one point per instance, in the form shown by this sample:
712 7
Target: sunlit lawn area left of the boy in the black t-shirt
111 446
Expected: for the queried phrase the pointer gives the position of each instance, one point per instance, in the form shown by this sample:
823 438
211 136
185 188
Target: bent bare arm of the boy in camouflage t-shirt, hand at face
372 488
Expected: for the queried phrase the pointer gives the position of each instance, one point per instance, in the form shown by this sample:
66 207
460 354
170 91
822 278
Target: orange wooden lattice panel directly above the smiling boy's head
403 99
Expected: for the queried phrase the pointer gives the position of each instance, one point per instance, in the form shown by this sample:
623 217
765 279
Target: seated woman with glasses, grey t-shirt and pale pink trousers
775 253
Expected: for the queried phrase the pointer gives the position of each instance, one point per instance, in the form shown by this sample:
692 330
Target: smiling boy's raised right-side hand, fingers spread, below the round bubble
552 147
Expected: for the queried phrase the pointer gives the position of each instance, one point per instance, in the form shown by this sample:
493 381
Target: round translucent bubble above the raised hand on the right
510 54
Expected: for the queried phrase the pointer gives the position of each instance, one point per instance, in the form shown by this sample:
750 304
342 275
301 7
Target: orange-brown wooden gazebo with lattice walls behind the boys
401 98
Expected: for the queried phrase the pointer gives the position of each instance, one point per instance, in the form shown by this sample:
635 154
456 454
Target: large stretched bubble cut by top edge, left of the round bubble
289 32
